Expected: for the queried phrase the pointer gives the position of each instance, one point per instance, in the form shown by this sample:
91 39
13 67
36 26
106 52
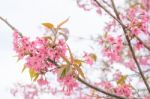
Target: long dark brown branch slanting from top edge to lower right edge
131 48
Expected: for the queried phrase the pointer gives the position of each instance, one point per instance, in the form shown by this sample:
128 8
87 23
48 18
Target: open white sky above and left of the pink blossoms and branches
27 15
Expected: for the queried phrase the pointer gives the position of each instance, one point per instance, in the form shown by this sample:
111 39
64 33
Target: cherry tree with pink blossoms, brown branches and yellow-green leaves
124 43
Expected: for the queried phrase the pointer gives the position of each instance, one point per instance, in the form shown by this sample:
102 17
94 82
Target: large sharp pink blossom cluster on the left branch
38 53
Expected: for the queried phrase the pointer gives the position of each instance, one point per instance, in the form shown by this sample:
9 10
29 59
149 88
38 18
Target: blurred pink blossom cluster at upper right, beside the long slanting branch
138 18
